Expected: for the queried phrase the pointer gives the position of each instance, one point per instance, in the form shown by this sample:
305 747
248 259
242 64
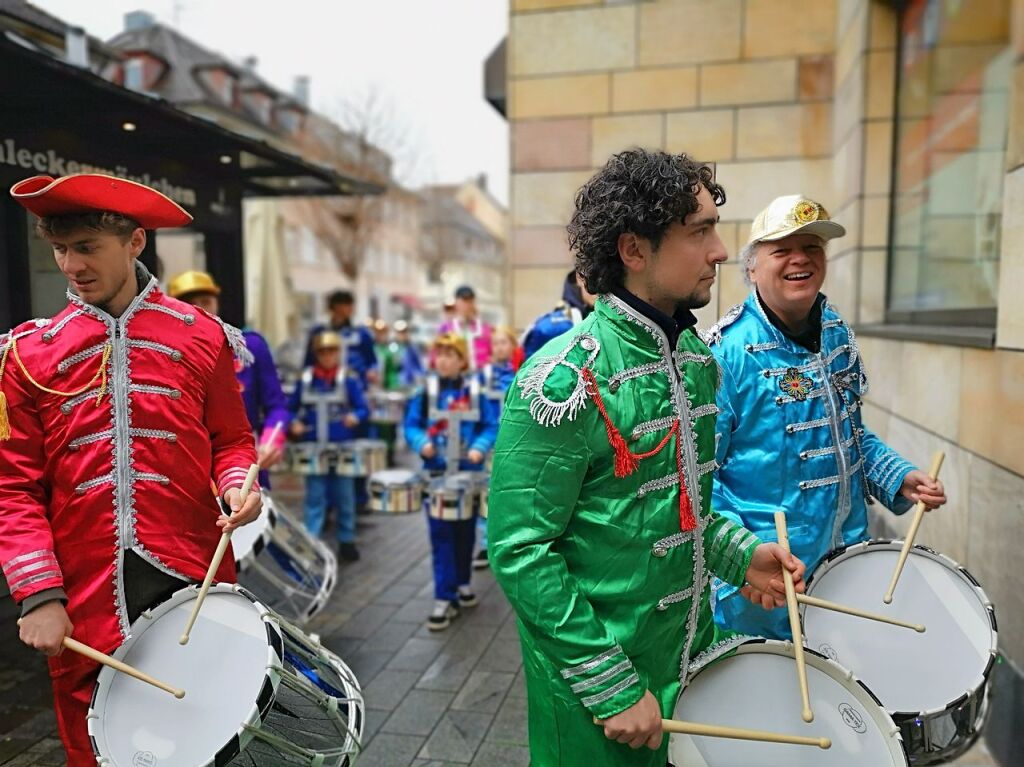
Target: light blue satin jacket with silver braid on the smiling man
791 438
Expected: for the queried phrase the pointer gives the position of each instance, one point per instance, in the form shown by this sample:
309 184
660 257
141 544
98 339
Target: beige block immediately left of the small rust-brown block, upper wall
749 82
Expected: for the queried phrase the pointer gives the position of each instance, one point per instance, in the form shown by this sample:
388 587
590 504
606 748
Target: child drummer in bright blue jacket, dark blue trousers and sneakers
474 427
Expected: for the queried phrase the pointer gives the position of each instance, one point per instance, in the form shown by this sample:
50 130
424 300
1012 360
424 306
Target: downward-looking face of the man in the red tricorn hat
100 267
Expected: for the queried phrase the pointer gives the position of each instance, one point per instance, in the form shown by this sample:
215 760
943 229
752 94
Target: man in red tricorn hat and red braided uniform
115 416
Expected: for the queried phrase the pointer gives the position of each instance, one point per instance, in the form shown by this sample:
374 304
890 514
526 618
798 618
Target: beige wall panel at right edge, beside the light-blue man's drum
996 540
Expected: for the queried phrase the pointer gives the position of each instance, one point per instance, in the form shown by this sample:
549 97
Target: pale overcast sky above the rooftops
423 58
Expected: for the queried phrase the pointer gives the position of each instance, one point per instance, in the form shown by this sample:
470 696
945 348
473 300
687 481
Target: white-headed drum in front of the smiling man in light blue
934 685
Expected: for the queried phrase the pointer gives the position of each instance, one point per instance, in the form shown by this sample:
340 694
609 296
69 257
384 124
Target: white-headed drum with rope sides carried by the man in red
255 687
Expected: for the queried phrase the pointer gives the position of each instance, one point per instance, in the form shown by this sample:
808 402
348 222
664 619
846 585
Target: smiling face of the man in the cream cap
789 274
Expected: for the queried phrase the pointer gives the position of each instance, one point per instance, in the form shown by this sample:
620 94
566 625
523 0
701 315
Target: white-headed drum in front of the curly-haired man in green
757 689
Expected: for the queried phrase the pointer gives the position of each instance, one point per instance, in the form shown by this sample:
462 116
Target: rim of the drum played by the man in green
744 646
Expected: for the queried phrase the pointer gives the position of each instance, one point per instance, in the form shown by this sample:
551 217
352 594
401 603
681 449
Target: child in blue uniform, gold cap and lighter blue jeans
327 408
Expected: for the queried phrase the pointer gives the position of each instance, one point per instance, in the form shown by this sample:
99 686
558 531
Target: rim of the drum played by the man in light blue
844 552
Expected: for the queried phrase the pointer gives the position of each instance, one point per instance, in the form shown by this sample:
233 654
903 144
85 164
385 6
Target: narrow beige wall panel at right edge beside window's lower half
1011 329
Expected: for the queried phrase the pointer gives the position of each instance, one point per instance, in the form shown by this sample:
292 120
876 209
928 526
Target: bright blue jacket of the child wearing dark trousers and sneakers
420 430
